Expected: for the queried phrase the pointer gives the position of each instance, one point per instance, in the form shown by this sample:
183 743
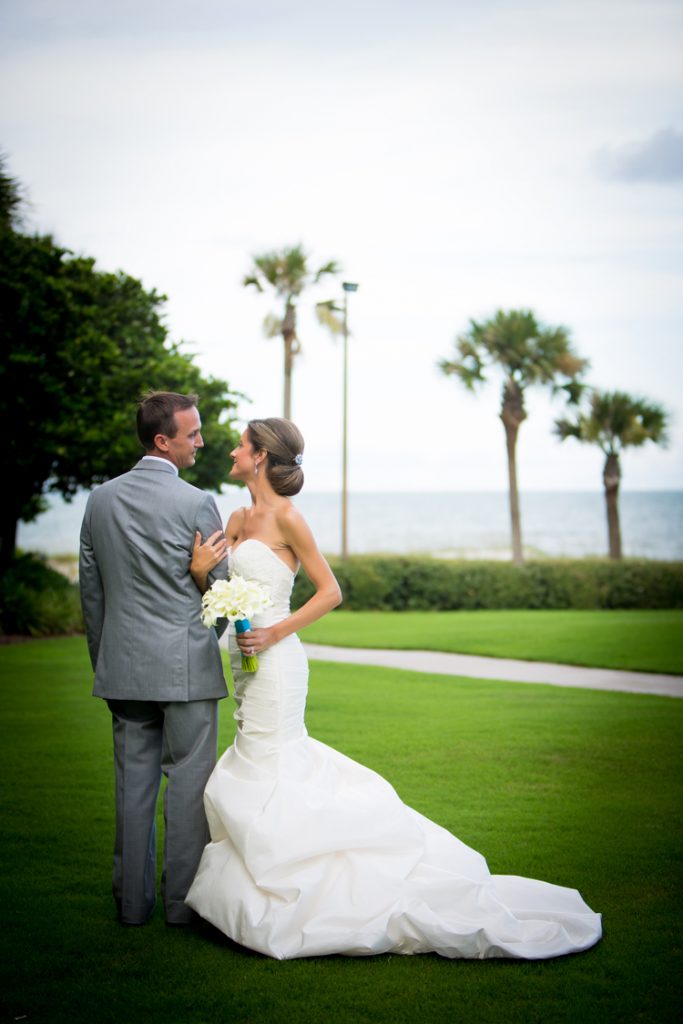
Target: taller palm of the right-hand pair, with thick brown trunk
528 354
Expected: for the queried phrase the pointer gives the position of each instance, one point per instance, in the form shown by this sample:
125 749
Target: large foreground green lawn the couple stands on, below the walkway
577 787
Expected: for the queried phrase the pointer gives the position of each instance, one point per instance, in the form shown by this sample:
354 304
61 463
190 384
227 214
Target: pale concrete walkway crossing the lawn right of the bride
505 669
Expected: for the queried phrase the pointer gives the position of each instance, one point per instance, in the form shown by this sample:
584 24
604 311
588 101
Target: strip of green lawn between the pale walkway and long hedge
647 642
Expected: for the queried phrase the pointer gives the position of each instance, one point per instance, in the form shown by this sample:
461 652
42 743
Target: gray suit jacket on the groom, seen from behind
142 609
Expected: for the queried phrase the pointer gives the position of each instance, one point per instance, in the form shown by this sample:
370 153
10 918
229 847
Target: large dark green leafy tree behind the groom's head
79 347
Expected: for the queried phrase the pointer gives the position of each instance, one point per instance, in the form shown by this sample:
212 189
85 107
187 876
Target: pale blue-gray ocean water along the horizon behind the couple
464 526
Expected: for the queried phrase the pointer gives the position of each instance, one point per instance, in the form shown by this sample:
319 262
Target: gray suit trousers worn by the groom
151 739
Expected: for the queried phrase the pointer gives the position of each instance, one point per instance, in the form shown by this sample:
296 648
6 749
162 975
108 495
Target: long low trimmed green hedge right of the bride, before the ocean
401 584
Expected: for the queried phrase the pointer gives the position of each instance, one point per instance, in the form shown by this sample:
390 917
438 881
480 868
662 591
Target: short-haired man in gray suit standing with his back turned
156 665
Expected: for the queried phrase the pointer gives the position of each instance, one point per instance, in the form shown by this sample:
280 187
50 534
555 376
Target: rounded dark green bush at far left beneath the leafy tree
37 602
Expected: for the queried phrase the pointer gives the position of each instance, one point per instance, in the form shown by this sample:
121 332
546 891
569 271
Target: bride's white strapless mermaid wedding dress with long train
312 854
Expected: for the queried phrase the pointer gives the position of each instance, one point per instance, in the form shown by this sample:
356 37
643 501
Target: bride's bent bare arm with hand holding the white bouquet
328 595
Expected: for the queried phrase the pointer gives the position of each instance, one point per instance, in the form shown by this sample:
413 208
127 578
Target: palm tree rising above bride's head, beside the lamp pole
287 272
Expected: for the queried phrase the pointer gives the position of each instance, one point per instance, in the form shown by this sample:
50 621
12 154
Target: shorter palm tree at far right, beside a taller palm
616 421
